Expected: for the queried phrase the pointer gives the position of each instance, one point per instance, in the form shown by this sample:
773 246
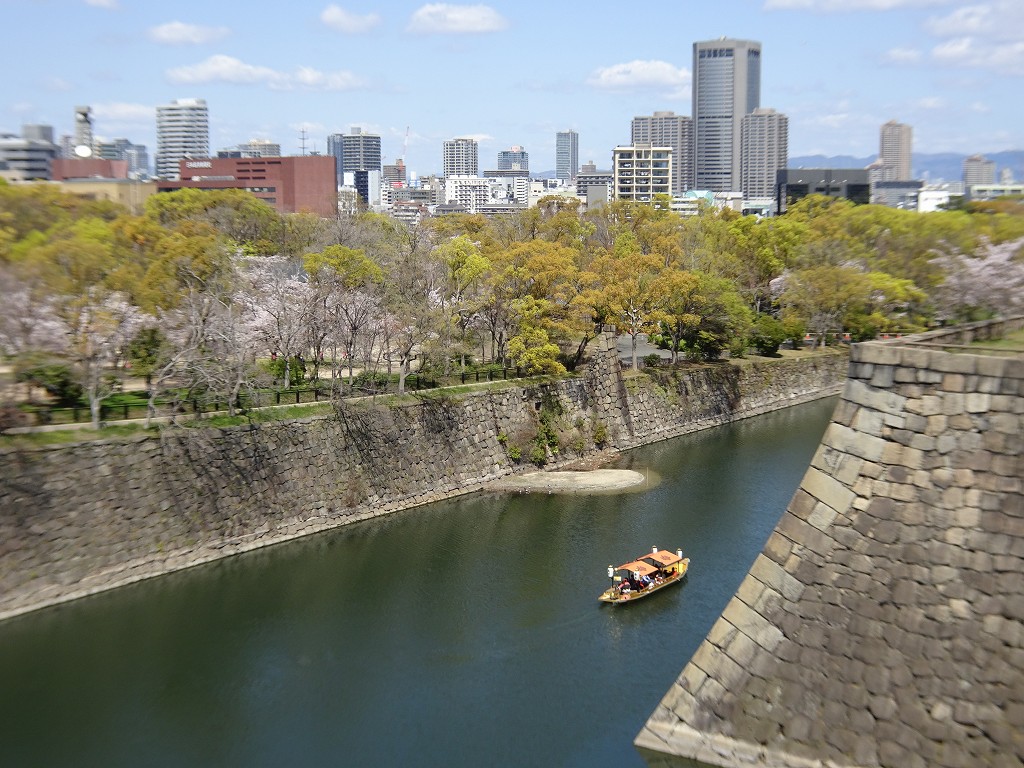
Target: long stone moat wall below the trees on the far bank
81 519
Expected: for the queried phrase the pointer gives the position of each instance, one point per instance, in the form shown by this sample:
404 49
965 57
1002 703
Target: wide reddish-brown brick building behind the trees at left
294 185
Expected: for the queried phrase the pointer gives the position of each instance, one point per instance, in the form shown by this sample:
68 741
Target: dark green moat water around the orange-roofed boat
466 633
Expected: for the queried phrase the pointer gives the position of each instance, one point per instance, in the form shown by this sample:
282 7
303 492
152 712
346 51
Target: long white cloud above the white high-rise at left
223 69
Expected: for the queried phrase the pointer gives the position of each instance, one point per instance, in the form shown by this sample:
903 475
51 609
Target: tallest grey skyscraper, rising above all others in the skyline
727 87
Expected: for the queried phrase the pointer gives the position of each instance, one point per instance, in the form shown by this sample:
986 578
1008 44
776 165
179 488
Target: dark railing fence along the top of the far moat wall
218 404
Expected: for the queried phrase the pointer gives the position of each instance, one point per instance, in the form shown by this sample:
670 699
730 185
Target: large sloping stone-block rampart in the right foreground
883 625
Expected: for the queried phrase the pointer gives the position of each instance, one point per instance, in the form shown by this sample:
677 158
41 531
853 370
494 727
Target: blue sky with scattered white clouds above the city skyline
513 72
